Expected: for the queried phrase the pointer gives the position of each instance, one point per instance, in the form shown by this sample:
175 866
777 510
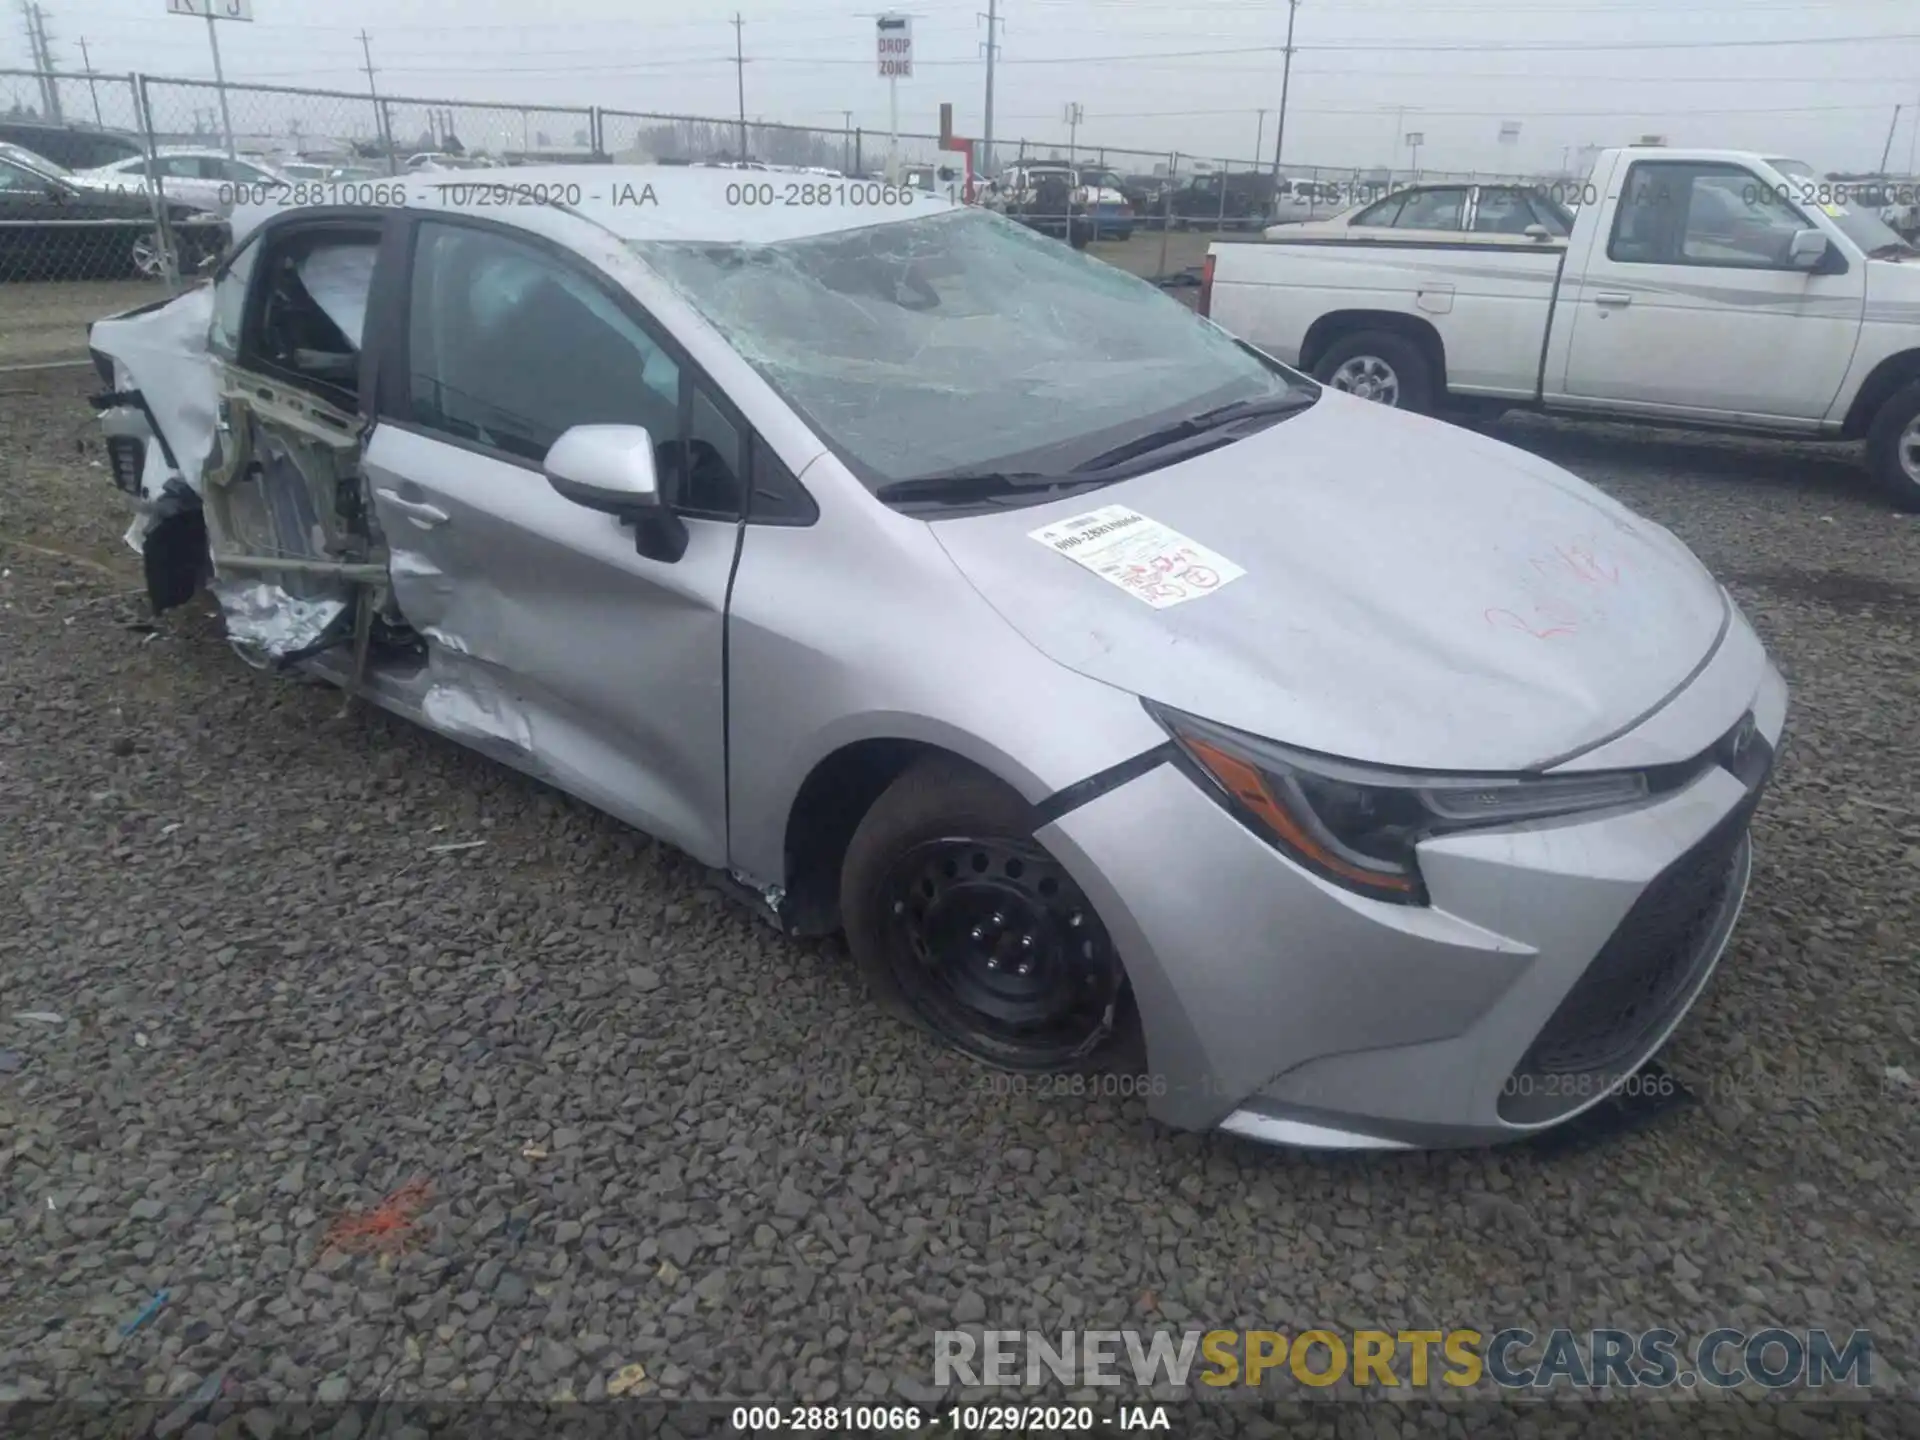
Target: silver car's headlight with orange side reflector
1358 827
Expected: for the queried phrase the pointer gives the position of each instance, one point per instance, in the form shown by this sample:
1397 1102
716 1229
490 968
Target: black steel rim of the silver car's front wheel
1001 951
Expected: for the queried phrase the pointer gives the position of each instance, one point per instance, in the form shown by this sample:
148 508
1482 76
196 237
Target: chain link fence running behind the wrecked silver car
116 189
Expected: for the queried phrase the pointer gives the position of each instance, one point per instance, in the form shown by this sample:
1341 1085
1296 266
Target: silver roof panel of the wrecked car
640 203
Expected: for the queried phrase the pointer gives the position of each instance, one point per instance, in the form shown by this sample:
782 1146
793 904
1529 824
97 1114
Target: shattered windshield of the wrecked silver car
961 341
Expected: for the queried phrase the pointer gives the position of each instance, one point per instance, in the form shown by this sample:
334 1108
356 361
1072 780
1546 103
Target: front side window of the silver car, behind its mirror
510 347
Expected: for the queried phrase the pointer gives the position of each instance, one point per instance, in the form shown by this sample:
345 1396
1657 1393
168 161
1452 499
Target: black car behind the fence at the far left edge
55 229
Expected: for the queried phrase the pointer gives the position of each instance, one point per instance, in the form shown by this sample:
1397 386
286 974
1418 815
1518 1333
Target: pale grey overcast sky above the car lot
1810 78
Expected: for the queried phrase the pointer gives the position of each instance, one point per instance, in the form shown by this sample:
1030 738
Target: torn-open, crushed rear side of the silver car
235 418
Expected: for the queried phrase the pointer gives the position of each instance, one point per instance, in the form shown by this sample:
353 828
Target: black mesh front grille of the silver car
1648 969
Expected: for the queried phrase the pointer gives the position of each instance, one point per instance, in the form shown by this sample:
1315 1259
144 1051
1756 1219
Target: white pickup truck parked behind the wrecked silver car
1700 287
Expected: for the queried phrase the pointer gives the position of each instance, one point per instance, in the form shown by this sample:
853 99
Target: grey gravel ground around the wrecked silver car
660 1134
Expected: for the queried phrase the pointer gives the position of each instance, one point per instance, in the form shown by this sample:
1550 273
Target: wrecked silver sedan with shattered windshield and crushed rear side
1130 702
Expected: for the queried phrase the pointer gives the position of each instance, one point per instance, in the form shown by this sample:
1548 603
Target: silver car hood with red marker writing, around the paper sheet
1414 594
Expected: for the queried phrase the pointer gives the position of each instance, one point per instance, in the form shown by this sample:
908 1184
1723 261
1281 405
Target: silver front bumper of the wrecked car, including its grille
1552 961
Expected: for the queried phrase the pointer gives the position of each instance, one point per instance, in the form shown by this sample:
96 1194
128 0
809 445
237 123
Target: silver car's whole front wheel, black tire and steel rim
967 926
